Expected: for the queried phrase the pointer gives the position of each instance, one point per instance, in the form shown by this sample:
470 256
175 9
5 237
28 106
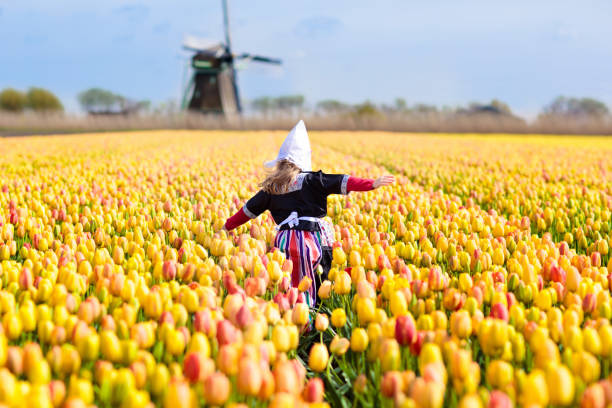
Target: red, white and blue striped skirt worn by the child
304 250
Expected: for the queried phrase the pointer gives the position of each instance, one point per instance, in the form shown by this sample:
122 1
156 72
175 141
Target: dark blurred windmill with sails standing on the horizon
212 87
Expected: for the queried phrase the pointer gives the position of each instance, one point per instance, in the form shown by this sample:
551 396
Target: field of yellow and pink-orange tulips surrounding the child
481 278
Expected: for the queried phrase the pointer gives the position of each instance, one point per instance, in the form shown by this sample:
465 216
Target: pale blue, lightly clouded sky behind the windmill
438 52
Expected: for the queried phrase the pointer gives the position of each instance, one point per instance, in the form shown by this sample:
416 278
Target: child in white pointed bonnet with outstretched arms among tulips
297 199
